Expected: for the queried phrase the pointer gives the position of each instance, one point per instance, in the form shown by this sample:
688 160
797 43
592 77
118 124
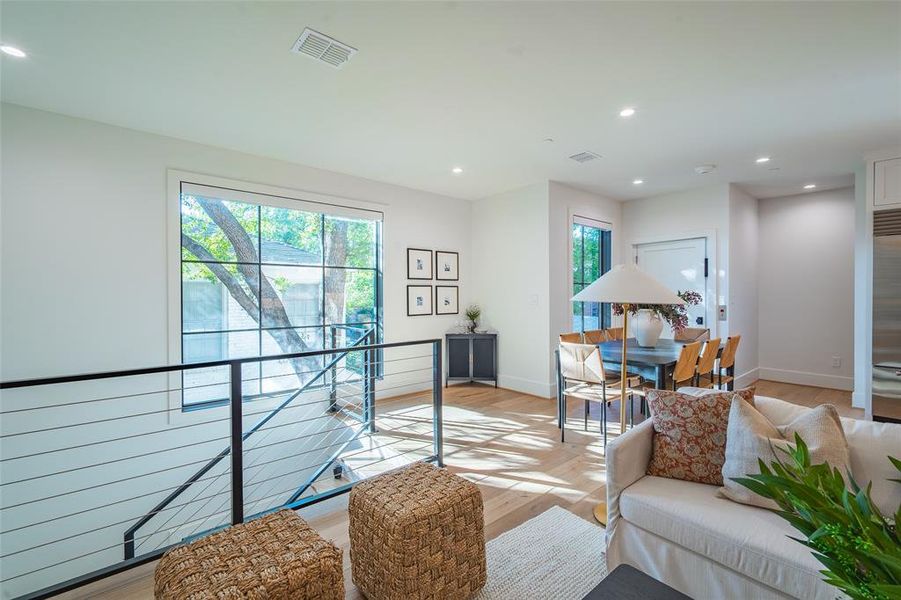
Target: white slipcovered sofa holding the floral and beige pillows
685 535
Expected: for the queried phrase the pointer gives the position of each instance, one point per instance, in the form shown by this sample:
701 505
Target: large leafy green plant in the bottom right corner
858 545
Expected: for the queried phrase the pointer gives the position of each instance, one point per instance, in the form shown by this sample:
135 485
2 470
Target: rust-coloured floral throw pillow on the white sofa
690 434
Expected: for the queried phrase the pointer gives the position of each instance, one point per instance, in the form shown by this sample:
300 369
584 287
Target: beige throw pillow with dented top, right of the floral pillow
750 436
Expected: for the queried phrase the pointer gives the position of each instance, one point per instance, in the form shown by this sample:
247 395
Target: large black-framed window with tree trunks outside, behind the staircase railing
263 275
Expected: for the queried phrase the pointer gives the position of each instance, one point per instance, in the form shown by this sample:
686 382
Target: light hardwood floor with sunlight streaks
509 444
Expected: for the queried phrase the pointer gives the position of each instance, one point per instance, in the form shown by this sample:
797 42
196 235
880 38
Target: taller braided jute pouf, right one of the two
416 534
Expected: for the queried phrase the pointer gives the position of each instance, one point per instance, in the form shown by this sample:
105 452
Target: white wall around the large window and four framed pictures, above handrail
84 239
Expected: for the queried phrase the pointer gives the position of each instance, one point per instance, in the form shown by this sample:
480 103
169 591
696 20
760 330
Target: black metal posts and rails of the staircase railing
235 449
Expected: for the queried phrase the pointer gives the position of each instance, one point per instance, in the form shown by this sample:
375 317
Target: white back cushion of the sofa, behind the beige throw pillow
869 443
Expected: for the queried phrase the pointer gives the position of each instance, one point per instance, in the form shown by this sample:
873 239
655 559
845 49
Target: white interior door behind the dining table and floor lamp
680 265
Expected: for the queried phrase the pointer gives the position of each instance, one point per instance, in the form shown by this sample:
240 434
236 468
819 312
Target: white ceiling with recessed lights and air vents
480 85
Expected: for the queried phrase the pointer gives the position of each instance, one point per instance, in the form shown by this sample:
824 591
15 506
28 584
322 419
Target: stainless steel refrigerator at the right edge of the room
887 316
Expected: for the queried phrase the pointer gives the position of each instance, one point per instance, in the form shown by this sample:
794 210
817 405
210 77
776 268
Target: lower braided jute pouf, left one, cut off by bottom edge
277 557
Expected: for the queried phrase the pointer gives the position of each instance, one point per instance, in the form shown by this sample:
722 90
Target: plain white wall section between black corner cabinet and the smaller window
510 282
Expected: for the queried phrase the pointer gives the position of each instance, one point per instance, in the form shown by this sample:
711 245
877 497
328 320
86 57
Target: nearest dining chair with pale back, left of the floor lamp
582 375
